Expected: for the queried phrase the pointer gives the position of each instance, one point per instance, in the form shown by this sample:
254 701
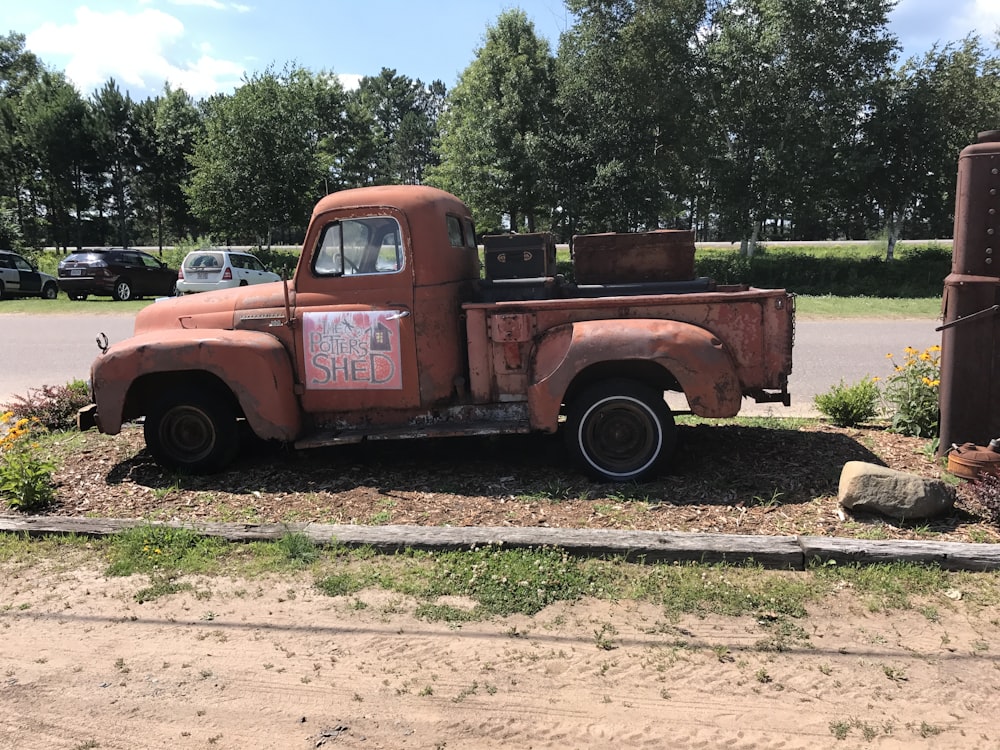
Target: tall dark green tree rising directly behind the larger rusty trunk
628 72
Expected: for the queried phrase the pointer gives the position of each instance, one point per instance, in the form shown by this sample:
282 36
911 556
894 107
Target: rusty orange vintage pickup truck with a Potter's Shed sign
387 330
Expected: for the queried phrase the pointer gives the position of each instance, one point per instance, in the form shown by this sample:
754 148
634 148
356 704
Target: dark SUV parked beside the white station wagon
120 272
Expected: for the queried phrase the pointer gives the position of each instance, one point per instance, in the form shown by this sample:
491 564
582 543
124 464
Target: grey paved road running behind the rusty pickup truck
53 349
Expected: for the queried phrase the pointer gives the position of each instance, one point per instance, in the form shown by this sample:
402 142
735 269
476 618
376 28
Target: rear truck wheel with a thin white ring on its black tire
620 430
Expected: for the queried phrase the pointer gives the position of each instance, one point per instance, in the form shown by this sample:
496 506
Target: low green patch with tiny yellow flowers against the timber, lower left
162 549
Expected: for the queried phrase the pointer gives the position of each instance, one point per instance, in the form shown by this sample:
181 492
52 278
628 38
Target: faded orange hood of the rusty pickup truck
222 310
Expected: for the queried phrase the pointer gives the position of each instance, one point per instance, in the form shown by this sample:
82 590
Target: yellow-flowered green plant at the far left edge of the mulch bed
25 477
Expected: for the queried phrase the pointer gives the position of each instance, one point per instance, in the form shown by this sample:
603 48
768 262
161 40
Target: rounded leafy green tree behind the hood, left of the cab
258 165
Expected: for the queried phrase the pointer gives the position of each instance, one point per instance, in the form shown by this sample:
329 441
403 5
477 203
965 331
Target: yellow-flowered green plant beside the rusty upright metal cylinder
912 392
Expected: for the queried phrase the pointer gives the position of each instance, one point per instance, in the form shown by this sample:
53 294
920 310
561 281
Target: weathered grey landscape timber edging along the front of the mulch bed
777 552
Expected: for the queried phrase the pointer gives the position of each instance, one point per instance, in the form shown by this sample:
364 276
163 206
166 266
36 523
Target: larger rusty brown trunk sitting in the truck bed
662 255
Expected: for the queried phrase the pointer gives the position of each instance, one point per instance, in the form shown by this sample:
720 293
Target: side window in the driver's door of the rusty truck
359 246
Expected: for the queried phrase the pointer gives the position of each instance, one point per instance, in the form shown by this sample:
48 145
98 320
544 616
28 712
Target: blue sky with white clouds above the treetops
208 46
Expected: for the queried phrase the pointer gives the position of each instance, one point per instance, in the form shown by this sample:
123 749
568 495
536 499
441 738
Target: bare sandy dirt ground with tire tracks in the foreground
275 664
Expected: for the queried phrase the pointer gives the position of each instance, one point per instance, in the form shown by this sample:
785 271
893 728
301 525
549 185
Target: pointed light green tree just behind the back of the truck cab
494 125
